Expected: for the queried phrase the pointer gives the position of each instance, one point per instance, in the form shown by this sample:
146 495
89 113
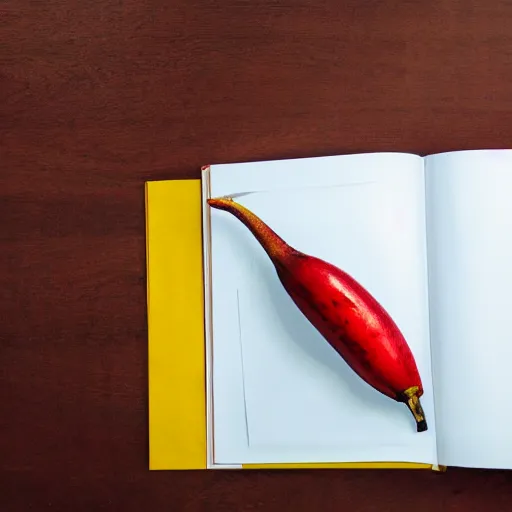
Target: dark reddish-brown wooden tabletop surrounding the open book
99 96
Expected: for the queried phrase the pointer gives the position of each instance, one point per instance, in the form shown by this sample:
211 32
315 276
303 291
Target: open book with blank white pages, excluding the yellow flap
430 238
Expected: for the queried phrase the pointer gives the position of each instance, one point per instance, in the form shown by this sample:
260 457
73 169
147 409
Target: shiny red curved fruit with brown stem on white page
344 312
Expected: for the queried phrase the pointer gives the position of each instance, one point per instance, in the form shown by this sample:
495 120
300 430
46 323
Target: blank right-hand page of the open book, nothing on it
470 253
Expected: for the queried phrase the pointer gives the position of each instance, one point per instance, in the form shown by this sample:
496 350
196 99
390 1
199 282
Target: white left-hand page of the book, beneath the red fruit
281 394
